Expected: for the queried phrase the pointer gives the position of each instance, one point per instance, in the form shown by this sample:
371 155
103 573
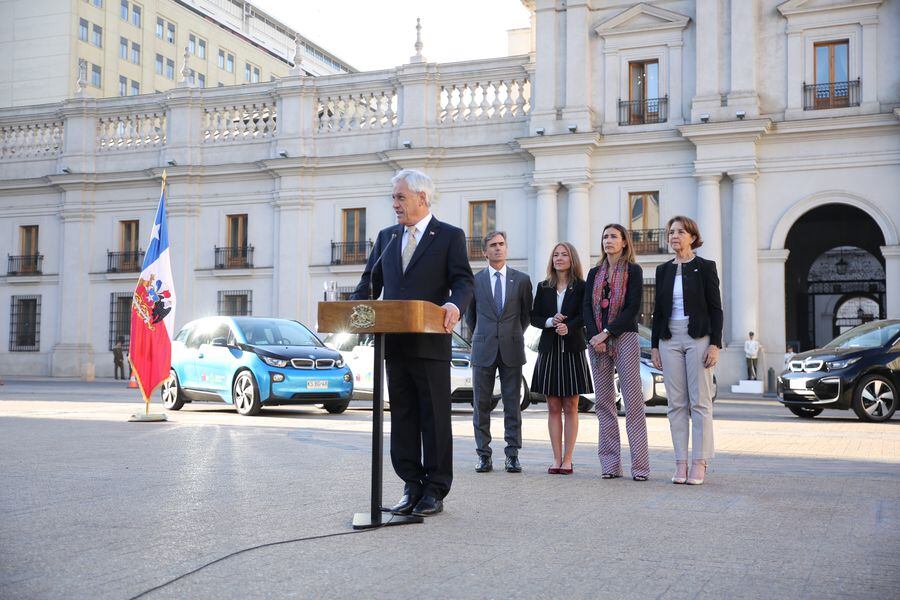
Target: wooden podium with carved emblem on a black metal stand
379 317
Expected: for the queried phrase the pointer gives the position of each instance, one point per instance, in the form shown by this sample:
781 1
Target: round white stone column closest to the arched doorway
745 283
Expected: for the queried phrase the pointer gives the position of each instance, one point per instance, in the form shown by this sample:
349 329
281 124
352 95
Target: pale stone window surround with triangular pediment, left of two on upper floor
642 33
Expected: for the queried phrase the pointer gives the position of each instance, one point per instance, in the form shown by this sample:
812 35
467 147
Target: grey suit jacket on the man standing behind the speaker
503 333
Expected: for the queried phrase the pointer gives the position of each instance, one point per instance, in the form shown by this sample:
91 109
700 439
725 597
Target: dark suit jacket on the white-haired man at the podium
438 272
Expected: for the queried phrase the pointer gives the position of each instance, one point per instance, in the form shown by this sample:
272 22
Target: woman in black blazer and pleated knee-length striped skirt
561 371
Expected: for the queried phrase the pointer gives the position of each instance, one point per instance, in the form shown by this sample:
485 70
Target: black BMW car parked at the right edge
858 370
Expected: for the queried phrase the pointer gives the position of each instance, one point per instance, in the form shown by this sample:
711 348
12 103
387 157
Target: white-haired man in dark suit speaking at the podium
420 258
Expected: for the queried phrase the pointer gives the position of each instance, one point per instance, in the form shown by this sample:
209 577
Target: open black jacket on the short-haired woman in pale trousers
702 300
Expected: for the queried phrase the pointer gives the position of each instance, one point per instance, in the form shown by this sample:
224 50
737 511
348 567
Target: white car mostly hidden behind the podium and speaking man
358 352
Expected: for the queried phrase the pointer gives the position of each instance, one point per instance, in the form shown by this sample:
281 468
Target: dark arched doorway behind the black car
834 257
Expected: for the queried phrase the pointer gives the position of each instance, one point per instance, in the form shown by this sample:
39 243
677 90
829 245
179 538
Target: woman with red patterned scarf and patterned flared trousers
611 307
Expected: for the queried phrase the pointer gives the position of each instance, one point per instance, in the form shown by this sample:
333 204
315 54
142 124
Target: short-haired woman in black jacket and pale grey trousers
687 335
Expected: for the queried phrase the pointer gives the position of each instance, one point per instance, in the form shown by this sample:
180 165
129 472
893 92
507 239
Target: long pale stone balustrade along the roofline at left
329 107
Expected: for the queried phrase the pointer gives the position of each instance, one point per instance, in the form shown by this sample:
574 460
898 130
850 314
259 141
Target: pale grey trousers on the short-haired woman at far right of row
689 392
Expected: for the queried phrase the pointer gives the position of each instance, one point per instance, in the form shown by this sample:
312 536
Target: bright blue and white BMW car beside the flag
252 362
